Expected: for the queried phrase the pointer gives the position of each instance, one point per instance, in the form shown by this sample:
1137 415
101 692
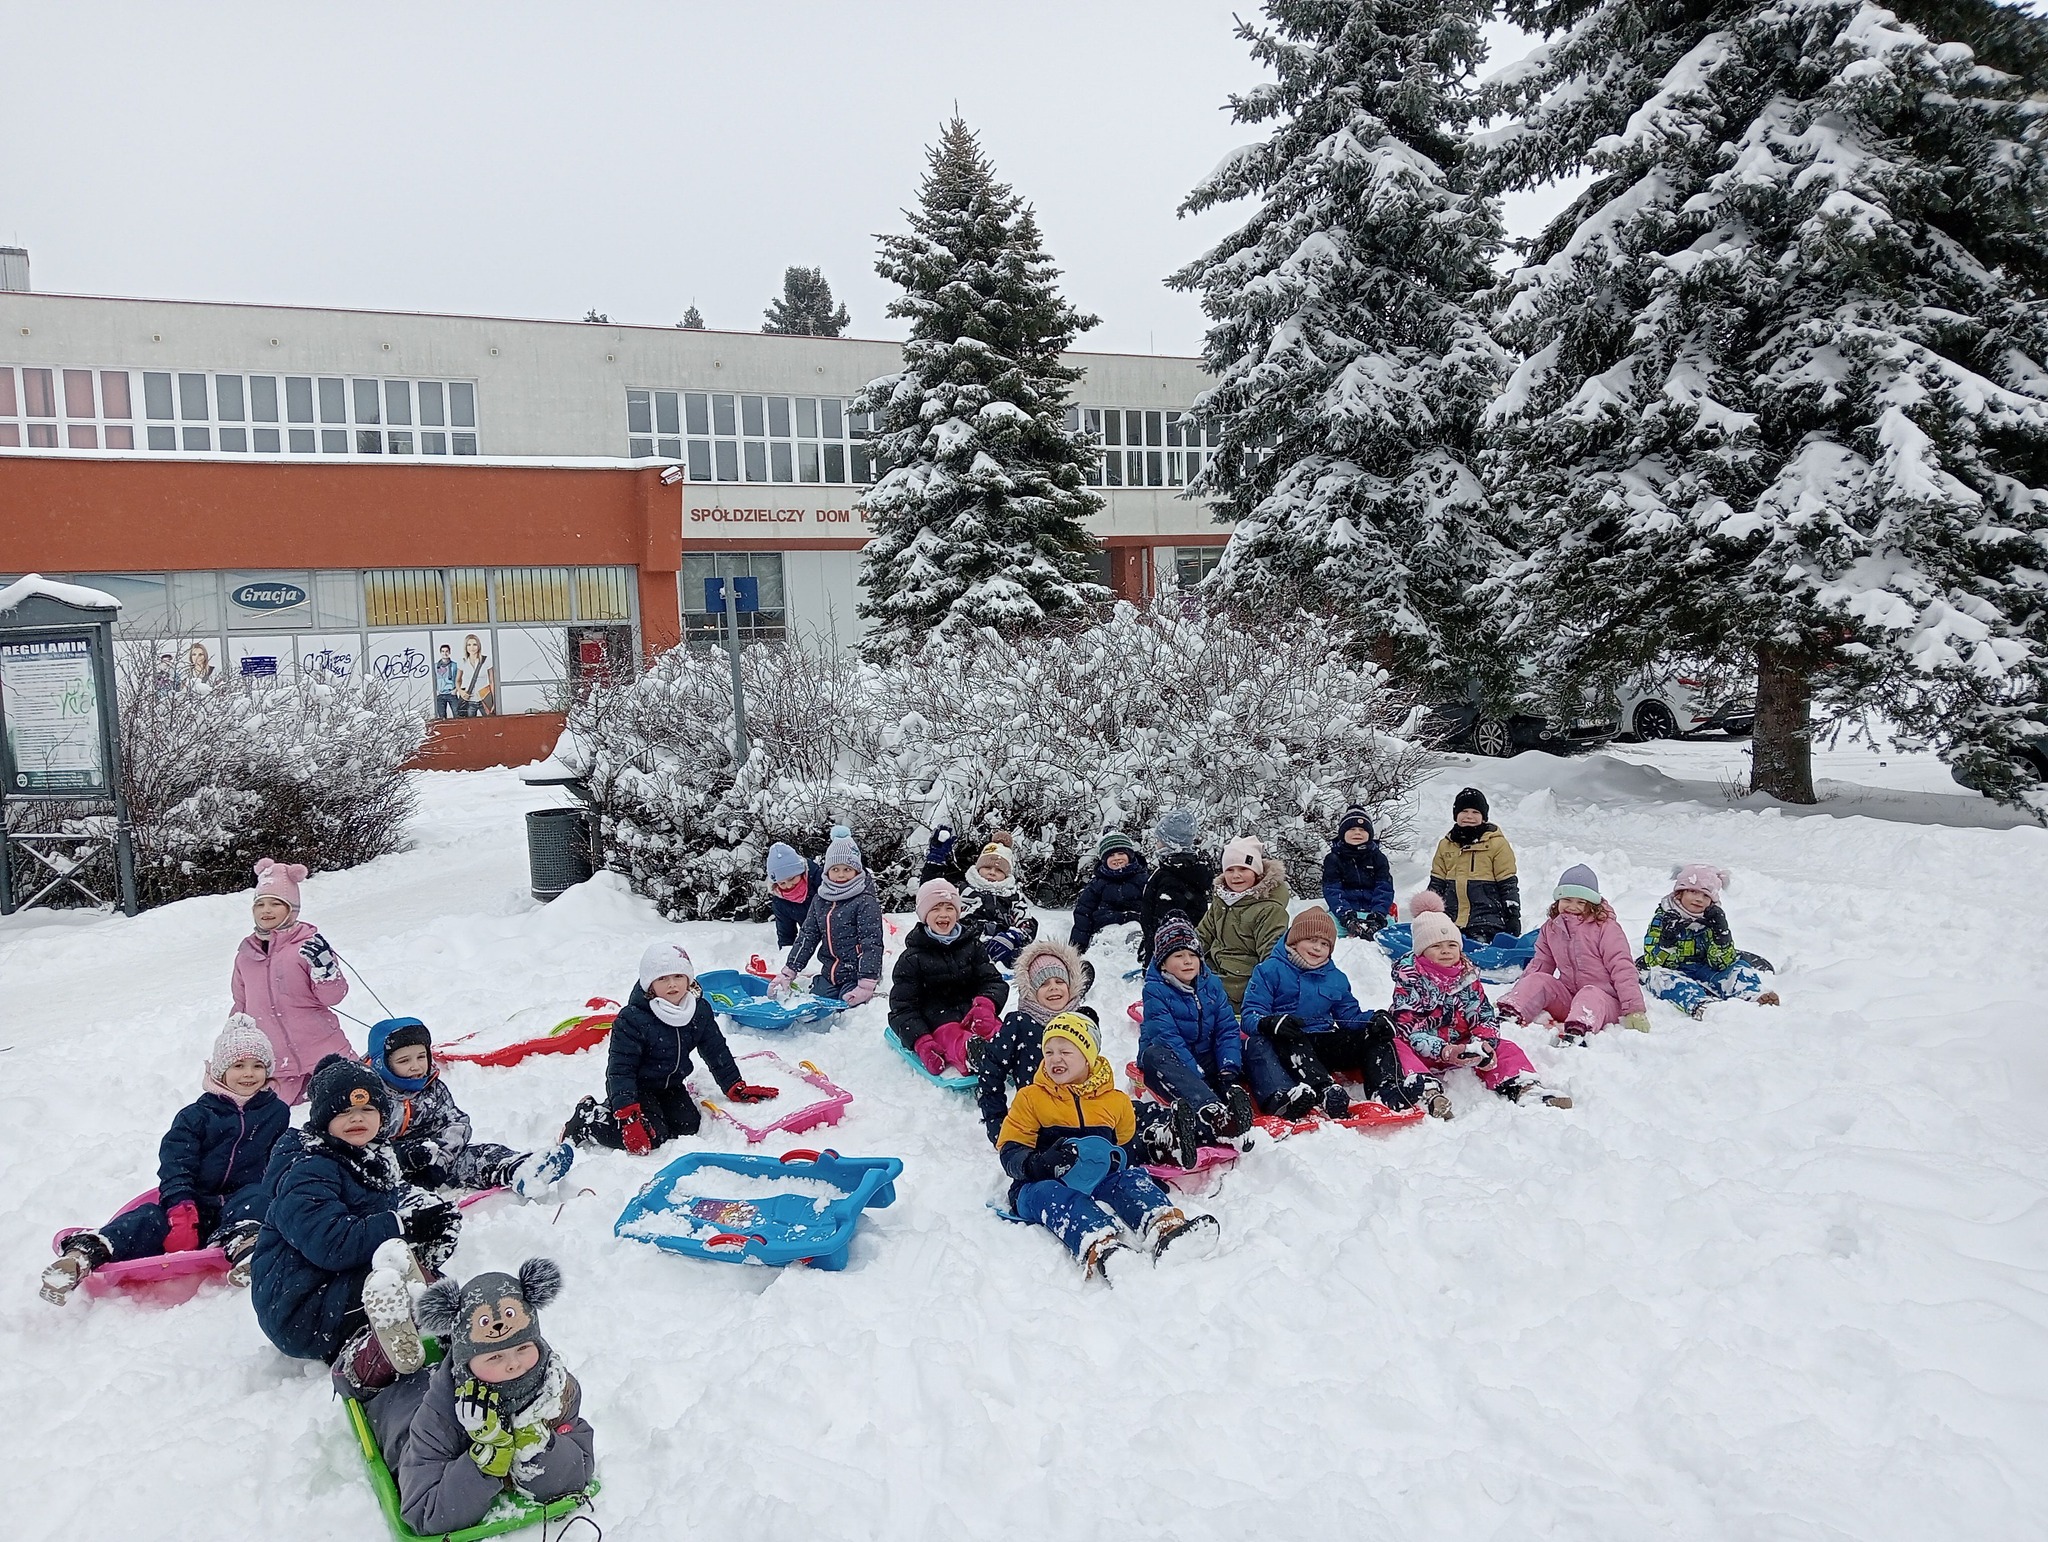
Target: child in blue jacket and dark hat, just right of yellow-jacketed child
1191 1050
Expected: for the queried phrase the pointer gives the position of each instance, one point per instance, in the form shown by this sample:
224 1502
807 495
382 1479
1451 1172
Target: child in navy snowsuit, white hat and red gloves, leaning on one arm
648 1060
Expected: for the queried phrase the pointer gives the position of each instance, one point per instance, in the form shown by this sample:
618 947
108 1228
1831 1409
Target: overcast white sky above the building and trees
548 159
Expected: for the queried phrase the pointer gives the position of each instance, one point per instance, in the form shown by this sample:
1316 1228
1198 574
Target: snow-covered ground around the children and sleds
1777 1277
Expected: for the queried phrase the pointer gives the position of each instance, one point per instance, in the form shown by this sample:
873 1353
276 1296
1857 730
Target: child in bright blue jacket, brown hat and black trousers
1304 1023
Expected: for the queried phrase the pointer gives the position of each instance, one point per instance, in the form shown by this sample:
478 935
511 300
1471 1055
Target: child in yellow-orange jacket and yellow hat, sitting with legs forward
1074 1162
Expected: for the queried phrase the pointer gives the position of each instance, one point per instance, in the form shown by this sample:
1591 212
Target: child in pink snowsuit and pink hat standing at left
290 980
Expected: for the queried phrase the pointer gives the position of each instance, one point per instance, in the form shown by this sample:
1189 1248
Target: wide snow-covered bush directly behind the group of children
1056 736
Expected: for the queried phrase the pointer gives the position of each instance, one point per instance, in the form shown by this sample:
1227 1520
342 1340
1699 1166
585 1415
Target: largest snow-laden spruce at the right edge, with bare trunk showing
1785 388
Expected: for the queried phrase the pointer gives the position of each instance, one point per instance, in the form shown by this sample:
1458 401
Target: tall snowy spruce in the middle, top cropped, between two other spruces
1351 357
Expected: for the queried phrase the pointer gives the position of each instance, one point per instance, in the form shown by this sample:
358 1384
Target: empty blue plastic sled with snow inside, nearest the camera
681 1213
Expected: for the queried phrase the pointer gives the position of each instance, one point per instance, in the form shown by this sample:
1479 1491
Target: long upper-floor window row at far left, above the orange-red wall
263 415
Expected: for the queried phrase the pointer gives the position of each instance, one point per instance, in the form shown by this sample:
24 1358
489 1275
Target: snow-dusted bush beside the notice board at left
222 775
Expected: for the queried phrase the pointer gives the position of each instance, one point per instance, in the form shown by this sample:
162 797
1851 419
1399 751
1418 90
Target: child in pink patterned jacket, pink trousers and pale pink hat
1445 1021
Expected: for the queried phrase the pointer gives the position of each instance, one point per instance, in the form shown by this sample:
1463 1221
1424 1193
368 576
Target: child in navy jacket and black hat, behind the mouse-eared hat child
345 1234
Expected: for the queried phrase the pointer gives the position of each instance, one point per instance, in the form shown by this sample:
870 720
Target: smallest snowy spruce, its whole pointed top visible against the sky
978 519
